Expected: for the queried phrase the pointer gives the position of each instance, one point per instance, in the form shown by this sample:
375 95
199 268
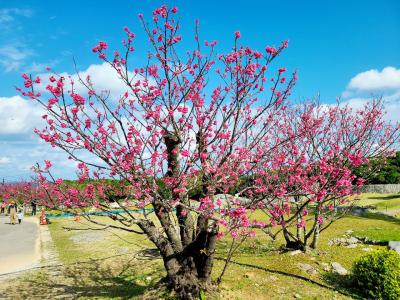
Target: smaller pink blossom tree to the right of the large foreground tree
314 177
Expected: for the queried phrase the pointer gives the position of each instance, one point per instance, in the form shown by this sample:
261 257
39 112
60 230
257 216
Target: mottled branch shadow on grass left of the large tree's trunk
121 278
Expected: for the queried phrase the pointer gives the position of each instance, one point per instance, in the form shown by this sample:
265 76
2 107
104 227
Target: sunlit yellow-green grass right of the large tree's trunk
242 281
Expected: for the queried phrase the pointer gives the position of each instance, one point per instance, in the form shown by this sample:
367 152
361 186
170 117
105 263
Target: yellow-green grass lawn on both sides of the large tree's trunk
119 265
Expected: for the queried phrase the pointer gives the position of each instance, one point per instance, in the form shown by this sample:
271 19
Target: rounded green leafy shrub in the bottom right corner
377 275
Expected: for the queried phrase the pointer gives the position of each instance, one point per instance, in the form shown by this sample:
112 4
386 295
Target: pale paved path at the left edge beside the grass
19 245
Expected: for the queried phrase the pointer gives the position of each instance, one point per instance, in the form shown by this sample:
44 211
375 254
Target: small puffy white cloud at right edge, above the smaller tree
375 80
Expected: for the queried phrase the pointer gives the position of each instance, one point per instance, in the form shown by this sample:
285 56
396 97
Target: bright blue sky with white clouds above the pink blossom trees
338 48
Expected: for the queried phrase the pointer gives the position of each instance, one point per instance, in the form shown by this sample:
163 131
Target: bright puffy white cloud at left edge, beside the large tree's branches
18 116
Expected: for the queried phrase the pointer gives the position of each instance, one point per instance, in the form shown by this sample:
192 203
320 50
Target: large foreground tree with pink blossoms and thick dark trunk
171 131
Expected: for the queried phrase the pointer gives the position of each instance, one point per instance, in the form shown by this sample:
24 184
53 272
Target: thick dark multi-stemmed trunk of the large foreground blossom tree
189 251
